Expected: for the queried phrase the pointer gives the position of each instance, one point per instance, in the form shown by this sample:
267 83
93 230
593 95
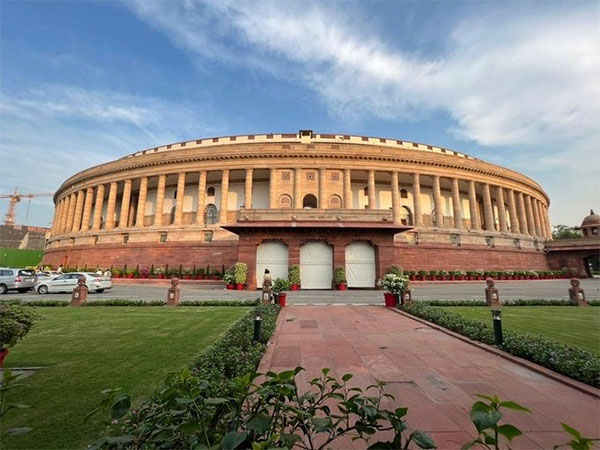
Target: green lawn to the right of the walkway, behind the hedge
567 324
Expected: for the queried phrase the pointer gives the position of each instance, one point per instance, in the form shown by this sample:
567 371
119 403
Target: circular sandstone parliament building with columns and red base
320 201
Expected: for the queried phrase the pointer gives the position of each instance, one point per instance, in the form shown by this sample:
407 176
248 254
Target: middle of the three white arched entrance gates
316 266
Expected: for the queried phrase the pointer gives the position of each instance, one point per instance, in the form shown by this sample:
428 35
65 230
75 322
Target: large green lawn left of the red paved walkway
85 350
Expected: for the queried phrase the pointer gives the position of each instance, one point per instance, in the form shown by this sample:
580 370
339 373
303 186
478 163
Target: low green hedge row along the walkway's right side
564 359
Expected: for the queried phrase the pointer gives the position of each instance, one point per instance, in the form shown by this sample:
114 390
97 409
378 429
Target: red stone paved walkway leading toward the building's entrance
433 374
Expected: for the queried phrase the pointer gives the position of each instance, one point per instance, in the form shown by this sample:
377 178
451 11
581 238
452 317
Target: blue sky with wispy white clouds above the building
514 83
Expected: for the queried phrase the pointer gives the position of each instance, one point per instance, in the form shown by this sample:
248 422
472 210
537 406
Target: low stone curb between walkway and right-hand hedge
581 387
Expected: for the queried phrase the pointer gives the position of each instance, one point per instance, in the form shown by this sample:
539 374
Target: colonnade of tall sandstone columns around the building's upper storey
526 214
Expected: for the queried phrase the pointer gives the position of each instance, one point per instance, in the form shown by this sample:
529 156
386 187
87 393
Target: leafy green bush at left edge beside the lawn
15 323
